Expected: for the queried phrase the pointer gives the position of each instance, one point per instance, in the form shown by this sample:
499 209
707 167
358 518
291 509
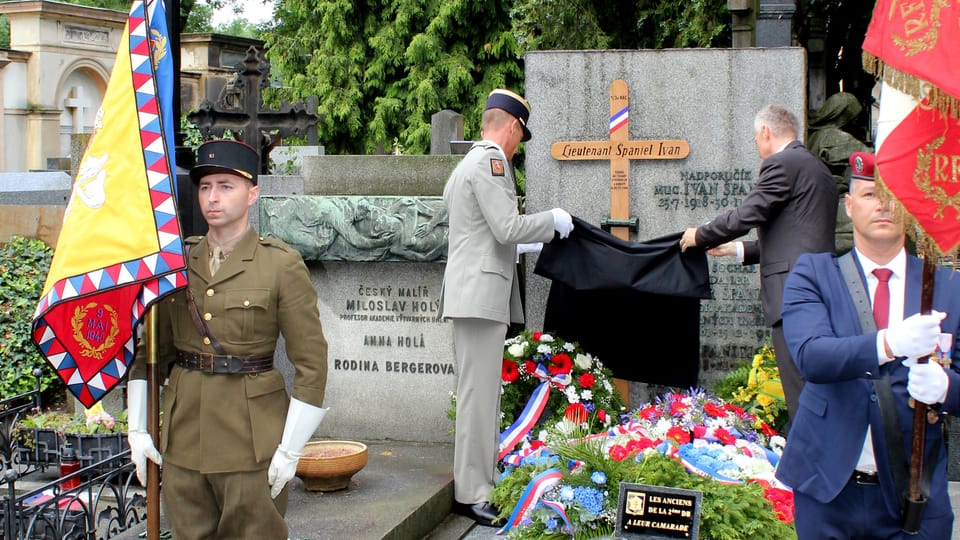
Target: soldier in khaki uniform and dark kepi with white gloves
230 436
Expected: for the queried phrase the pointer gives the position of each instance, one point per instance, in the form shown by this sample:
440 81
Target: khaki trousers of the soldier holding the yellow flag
221 506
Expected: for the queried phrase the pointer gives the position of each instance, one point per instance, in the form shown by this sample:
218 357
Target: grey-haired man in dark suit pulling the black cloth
793 206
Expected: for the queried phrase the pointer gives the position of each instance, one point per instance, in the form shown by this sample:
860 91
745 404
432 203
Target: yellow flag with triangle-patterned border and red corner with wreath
119 249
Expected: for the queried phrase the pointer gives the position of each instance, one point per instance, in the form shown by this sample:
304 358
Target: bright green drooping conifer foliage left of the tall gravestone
380 69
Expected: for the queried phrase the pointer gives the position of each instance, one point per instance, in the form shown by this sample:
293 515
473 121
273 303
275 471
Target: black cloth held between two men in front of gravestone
633 305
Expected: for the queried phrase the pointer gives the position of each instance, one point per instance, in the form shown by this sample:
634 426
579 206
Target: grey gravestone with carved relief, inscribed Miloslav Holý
390 358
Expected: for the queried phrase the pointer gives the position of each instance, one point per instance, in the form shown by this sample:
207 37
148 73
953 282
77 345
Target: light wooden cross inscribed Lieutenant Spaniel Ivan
620 150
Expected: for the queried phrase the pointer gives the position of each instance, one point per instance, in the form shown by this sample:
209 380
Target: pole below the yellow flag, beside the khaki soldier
153 425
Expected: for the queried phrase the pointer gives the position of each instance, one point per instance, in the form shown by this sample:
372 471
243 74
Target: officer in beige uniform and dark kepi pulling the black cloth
480 290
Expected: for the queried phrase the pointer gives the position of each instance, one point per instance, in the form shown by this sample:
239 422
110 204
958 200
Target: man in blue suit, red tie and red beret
837 458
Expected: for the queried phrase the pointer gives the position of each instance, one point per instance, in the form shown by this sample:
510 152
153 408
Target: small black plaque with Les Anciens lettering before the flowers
654 512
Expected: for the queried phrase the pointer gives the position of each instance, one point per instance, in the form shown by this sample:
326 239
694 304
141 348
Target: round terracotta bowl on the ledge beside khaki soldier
329 465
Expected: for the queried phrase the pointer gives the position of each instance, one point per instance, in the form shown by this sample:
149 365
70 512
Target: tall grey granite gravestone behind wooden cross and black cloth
705 97
